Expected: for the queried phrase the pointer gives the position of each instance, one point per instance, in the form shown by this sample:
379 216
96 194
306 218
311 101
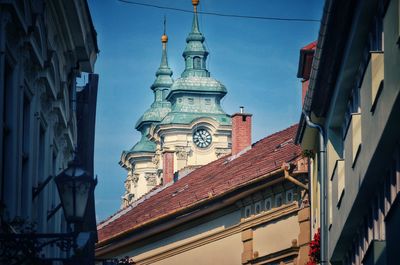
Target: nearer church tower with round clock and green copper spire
197 130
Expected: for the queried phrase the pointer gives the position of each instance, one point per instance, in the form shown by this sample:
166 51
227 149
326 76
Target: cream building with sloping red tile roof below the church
246 208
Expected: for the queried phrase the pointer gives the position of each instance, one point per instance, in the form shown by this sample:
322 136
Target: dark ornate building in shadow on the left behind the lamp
44 47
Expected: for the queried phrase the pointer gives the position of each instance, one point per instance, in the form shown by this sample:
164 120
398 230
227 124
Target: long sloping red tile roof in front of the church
215 178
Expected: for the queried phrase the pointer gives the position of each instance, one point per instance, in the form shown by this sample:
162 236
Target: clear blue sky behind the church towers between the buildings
255 59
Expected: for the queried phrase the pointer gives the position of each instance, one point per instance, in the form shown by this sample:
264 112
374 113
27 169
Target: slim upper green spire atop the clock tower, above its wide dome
195 53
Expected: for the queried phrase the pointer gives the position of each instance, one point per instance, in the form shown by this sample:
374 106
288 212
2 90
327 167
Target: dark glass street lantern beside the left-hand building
74 186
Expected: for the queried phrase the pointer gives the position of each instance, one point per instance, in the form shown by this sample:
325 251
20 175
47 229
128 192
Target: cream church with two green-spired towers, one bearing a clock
184 128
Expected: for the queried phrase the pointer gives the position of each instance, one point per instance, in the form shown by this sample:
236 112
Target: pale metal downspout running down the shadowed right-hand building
322 161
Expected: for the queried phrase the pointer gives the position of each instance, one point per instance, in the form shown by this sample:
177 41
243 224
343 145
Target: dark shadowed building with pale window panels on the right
354 95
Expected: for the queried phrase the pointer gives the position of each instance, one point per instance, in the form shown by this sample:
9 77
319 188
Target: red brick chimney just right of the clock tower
241 131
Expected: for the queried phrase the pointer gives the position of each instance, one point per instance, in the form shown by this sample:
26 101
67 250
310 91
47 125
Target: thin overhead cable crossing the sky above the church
220 14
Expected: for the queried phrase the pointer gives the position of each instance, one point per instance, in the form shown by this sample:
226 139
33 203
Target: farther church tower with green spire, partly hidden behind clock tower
139 161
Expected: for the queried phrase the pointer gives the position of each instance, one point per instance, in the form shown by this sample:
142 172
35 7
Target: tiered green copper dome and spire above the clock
195 94
